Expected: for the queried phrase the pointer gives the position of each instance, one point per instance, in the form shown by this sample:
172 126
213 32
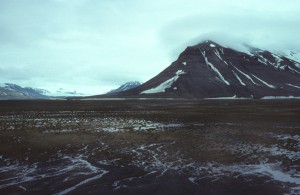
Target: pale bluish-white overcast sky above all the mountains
94 45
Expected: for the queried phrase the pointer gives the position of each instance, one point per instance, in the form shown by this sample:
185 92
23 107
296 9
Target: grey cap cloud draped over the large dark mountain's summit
267 31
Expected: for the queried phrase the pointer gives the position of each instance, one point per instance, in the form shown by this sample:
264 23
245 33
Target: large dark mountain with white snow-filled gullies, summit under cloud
209 70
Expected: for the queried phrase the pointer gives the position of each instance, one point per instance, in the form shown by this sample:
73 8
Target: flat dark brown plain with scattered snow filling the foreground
150 147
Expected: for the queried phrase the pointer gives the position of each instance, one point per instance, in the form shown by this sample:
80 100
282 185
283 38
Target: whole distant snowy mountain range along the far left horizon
13 91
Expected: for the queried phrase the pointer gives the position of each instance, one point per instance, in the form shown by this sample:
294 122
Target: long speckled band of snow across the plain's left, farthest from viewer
74 123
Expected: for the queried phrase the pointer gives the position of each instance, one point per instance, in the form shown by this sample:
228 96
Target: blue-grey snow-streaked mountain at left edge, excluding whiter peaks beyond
12 91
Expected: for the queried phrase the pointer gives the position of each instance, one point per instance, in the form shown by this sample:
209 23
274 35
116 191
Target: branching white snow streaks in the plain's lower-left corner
63 166
